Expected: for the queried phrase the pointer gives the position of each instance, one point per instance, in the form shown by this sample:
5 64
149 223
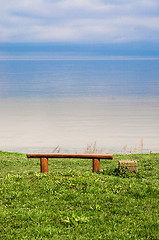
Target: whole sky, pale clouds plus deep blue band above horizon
99 27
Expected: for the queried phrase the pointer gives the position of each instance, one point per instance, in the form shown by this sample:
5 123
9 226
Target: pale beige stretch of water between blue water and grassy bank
42 124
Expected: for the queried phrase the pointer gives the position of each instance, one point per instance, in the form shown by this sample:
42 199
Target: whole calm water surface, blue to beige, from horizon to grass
74 103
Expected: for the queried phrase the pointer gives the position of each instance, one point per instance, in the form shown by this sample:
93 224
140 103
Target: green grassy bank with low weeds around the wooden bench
71 202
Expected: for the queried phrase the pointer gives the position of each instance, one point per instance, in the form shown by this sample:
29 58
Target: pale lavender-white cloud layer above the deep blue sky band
79 21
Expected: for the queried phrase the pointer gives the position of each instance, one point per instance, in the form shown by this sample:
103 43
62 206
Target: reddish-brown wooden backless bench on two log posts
44 159
